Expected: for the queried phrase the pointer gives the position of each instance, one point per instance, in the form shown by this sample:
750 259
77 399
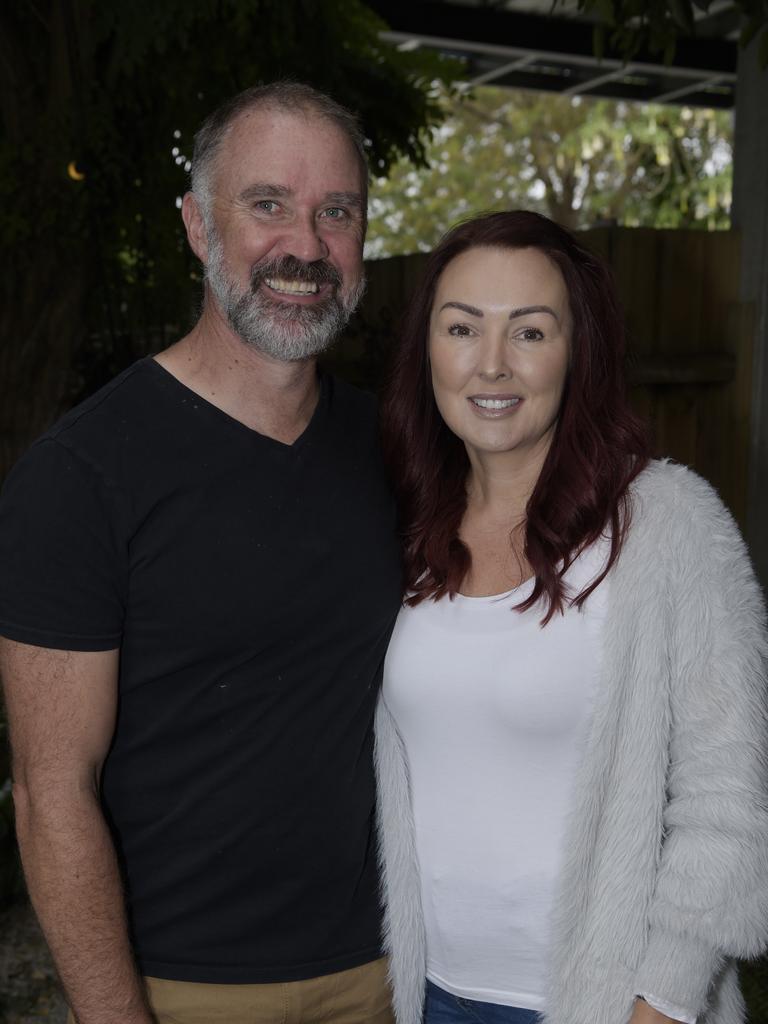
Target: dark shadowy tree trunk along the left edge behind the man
44 288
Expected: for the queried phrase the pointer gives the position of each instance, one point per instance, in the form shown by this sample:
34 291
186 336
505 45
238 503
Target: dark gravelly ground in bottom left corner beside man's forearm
29 991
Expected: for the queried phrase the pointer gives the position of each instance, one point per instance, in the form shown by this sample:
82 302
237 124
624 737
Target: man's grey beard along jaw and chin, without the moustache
284 331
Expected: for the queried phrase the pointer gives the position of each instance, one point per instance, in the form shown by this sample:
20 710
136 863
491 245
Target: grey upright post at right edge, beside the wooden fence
750 216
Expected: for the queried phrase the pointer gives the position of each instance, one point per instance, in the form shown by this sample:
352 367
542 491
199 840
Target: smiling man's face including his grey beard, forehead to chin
285 232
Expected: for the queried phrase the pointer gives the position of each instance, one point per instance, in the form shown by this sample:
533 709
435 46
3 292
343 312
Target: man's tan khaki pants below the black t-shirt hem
360 996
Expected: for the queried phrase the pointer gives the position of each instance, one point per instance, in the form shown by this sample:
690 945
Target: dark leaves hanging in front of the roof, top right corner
631 26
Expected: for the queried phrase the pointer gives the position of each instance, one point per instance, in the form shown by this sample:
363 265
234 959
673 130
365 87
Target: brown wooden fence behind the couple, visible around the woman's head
691 342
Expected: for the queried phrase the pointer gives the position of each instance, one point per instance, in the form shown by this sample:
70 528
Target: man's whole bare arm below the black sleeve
62 708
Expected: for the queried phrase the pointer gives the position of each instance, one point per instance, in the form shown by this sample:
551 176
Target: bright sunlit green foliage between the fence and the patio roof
580 161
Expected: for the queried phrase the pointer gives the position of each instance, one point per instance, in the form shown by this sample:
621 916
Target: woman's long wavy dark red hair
600 445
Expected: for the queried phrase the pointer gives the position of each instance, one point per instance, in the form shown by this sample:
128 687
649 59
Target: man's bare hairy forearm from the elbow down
75 885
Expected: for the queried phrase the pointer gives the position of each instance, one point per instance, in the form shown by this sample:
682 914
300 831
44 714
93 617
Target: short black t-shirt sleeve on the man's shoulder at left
62 570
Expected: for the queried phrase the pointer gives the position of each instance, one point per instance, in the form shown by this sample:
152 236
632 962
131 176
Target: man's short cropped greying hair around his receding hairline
293 98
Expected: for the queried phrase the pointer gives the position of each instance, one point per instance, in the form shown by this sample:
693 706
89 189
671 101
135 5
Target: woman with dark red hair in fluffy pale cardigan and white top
572 737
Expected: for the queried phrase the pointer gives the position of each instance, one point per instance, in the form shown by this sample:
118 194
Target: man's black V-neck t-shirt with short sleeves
251 587
